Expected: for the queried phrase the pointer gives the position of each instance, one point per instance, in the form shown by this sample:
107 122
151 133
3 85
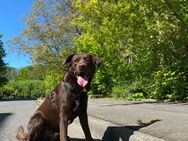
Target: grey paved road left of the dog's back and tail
12 115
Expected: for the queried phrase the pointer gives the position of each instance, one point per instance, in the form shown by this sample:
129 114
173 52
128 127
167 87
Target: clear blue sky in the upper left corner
11 25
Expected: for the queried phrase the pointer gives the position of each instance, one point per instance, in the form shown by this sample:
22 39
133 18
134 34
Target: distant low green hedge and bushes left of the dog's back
28 82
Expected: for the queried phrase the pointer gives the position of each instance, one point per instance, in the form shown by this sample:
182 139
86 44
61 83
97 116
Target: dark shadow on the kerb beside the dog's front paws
115 133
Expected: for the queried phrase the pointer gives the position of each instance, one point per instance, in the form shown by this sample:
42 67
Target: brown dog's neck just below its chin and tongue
72 80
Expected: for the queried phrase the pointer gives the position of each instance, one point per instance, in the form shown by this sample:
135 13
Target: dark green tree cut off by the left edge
3 79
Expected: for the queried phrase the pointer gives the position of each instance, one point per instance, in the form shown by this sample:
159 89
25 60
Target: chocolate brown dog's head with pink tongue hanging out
83 67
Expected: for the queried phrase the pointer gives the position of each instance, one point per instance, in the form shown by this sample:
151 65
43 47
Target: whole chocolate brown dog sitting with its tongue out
67 101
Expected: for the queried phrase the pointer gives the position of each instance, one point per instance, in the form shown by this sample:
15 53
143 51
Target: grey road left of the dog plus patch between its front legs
16 113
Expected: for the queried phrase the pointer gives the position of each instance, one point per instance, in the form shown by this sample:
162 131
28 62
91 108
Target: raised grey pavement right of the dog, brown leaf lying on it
173 127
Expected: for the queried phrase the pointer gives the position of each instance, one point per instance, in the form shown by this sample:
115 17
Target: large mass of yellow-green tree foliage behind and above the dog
153 34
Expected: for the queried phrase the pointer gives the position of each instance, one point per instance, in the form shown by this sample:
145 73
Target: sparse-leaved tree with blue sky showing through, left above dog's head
48 36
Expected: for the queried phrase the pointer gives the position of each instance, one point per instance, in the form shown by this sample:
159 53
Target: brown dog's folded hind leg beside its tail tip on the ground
35 126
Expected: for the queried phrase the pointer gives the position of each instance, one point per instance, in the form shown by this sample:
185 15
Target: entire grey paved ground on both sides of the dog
123 115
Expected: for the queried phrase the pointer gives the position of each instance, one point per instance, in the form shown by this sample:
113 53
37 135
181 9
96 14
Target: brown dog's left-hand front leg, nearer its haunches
63 124
